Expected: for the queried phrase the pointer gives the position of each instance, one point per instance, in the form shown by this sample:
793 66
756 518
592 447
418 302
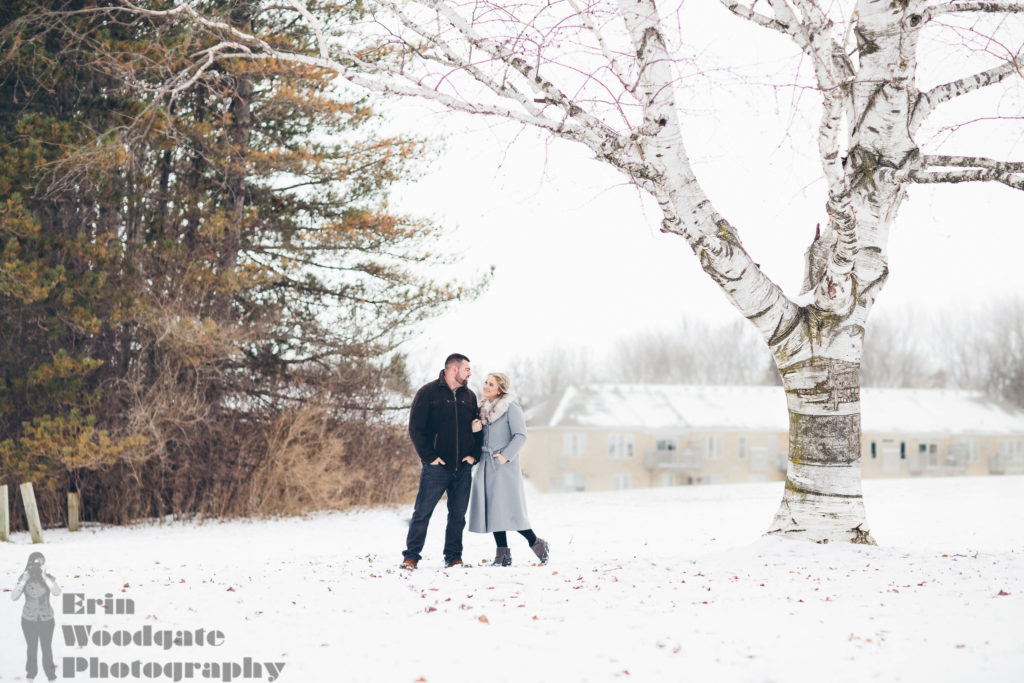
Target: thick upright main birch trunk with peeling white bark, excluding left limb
820 362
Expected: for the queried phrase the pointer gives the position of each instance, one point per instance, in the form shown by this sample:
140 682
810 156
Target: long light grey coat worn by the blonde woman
497 502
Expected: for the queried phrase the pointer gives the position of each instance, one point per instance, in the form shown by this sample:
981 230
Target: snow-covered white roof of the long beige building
674 408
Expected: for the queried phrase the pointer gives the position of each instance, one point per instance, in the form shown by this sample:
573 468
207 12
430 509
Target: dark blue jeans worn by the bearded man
436 481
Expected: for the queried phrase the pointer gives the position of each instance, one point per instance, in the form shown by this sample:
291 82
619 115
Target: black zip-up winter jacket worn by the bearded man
441 424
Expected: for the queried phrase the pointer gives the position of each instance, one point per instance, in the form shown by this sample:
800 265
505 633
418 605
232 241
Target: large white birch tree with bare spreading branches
604 74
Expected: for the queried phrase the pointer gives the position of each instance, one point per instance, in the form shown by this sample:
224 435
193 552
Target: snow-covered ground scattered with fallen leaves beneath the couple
659 585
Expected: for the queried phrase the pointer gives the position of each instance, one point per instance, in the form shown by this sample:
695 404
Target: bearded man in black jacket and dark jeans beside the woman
441 424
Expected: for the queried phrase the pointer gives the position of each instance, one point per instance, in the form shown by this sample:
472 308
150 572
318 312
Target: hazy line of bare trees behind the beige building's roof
977 350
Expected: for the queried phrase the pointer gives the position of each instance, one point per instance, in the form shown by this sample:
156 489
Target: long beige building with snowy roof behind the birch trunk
609 437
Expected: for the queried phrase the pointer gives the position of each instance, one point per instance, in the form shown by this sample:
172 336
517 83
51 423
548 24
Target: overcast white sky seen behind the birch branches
579 258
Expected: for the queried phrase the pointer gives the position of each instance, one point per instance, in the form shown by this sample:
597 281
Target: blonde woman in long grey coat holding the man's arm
497 503
